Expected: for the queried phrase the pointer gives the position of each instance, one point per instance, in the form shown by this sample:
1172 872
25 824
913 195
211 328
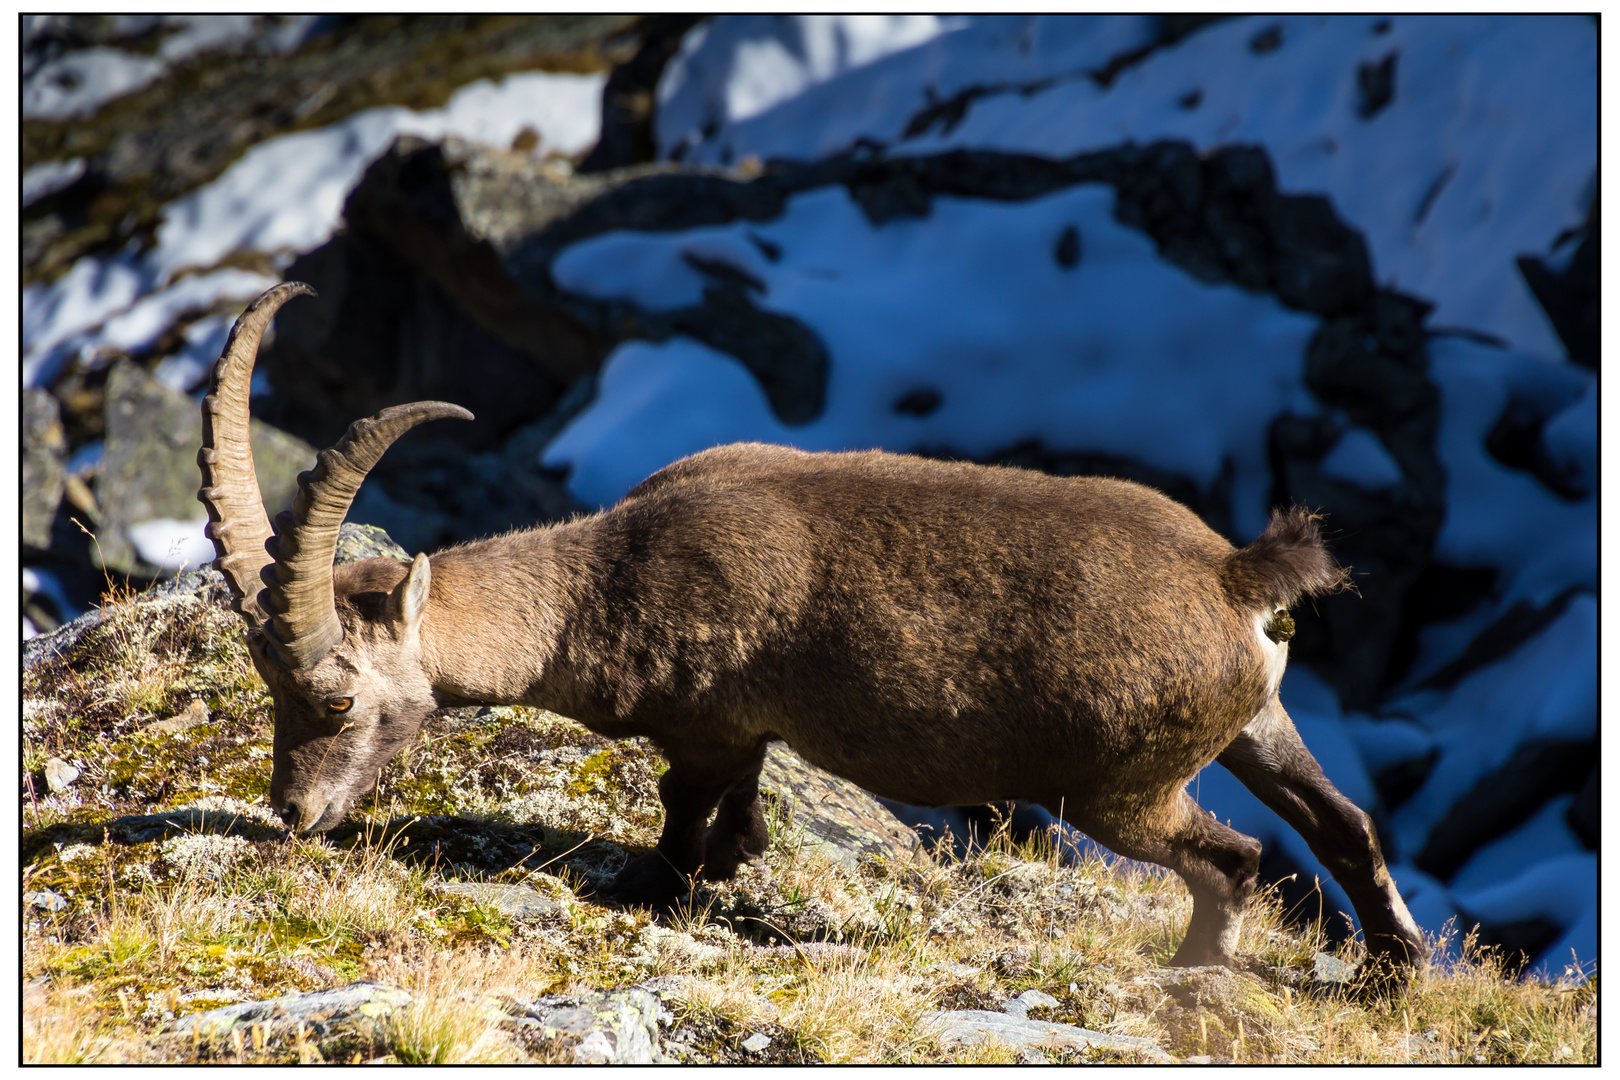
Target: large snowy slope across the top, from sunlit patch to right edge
1481 113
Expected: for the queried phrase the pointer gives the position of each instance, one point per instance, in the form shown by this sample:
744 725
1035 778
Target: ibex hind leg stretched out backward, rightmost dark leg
1273 762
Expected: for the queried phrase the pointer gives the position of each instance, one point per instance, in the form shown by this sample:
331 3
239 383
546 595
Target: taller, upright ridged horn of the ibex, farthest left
231 488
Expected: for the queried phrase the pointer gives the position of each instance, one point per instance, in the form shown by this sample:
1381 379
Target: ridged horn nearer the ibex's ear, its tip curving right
304 614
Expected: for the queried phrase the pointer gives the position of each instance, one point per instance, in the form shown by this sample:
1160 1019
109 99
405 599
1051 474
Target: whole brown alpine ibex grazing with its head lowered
936 632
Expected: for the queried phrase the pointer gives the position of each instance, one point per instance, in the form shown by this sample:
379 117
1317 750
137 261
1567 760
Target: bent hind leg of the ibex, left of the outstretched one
1219 865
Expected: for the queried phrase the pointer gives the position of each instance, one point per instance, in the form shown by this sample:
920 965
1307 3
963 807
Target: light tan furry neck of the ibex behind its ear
495 618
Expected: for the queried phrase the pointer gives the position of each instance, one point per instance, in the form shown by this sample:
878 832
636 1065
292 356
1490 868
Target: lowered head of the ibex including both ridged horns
339 652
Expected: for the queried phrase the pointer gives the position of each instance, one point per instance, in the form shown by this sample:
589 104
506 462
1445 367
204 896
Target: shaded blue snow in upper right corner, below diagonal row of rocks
1456 177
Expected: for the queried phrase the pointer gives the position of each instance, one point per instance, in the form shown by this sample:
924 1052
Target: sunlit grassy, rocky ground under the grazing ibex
456 916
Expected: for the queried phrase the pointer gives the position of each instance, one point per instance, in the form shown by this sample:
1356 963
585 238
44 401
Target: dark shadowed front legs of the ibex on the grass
699 780
